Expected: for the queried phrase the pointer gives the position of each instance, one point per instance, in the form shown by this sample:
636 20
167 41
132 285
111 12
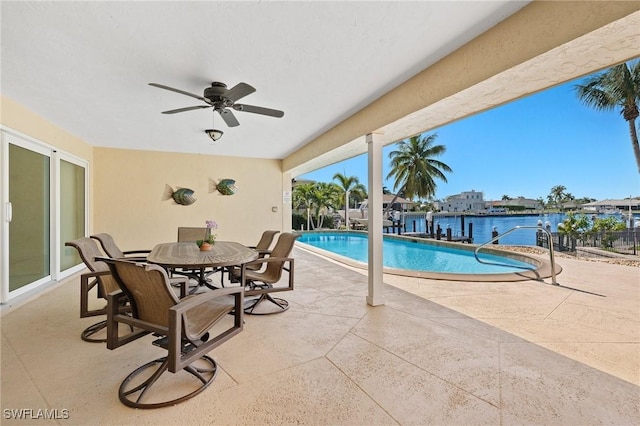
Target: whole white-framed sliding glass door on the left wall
44 197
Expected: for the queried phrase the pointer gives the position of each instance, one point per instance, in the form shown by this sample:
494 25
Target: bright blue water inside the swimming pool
411 255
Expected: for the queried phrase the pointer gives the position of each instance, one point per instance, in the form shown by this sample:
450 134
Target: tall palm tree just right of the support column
414 168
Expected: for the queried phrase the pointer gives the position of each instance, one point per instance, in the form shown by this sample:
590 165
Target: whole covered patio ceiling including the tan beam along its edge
338 70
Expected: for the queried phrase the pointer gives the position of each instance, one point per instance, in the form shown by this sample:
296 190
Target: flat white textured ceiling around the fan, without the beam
85 66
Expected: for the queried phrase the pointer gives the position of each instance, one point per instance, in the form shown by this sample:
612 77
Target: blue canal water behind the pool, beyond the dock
483 225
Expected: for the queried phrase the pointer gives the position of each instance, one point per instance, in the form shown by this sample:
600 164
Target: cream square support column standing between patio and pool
376 294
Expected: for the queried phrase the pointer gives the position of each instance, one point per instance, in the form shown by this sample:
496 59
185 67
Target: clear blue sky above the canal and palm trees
524 148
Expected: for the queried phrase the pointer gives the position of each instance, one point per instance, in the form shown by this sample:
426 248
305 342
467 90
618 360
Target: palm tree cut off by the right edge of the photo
617 87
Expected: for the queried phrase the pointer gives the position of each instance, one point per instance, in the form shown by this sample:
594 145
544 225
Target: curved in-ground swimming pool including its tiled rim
418 257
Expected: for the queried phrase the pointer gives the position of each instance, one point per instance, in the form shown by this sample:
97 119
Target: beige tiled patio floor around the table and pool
438 352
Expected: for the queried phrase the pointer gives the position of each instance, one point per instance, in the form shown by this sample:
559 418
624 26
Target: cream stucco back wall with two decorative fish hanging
132 200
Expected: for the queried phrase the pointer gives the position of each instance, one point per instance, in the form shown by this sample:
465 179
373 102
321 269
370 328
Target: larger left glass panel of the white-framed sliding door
29 229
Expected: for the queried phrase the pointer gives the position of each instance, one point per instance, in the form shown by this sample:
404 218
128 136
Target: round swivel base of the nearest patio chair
134 397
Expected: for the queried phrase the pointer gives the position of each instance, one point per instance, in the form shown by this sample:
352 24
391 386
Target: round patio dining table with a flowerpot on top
188 256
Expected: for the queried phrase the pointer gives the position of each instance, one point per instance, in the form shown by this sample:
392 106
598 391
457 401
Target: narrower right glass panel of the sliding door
72 211
